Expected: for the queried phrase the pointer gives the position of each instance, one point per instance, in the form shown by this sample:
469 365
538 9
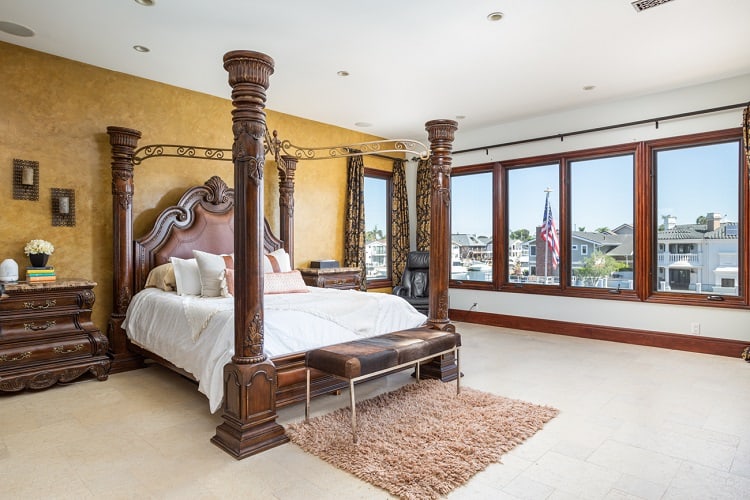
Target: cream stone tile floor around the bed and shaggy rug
635 422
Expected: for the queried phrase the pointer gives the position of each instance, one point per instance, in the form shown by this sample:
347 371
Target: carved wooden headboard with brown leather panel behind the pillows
203 219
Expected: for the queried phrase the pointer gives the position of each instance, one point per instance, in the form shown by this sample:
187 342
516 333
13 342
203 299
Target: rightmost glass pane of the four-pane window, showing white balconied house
697 193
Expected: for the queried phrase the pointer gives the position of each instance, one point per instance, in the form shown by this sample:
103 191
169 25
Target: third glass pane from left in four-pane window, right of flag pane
601 219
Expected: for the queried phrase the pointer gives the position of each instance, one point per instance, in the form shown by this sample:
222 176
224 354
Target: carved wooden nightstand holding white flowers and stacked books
47 336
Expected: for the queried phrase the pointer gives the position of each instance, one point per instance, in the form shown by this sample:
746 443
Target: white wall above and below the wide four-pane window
714 322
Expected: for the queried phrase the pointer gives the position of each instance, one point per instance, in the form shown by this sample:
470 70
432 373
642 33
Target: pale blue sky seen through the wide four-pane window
691 182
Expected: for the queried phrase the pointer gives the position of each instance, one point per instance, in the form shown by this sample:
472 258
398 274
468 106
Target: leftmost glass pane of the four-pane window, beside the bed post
471 227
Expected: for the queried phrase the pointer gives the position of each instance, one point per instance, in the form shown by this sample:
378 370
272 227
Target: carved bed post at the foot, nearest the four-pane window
440 134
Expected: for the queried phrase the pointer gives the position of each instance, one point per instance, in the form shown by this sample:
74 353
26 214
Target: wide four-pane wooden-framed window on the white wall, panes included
663 221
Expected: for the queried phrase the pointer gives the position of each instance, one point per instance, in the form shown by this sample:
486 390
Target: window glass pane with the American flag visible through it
533 211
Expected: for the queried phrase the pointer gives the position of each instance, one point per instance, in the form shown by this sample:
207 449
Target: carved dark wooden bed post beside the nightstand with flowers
123 142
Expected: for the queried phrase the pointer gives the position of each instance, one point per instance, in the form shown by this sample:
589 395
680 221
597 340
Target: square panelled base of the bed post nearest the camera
249 410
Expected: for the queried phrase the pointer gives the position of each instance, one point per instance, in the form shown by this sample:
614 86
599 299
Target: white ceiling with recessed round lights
409 61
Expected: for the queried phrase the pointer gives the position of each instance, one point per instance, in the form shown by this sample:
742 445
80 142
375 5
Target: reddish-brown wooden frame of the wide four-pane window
645 241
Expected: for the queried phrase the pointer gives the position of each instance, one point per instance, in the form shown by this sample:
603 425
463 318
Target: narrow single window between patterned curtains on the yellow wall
377 227
